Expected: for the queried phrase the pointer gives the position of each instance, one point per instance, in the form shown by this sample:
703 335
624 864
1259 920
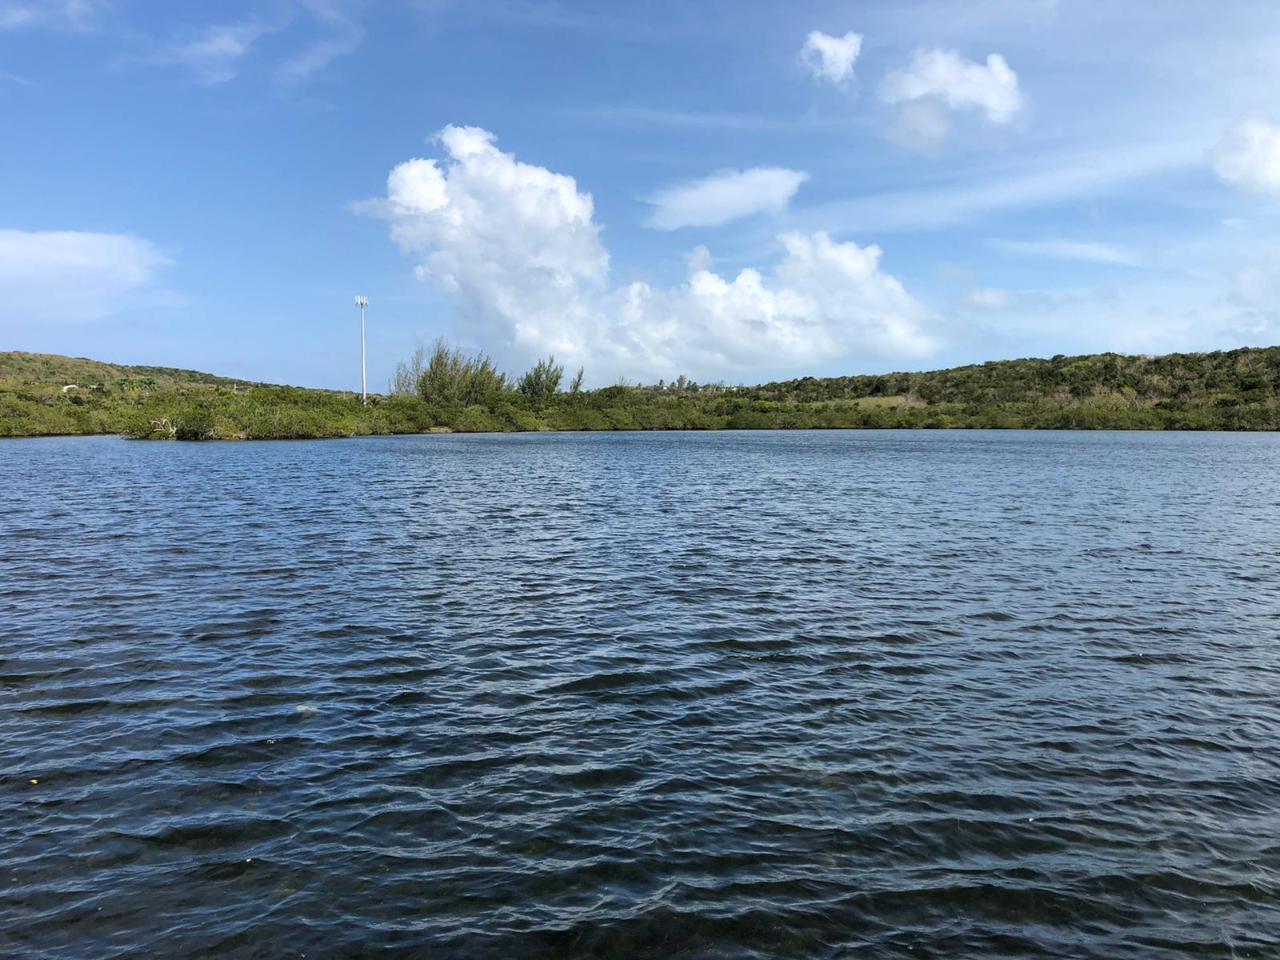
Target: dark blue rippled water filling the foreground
671 696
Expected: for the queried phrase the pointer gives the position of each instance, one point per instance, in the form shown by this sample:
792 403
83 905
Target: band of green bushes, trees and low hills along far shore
449 391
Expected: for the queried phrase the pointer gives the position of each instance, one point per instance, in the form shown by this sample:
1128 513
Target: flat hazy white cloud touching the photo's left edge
71 276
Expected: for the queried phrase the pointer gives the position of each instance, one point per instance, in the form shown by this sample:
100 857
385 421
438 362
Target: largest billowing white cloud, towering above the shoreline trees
519 248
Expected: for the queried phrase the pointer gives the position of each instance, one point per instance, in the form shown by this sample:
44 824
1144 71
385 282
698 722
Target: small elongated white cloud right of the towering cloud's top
726 195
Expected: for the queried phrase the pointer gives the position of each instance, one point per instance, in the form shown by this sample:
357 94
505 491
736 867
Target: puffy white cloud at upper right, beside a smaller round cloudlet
941 81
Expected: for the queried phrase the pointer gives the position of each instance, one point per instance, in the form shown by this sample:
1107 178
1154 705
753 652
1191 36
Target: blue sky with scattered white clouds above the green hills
728 190
